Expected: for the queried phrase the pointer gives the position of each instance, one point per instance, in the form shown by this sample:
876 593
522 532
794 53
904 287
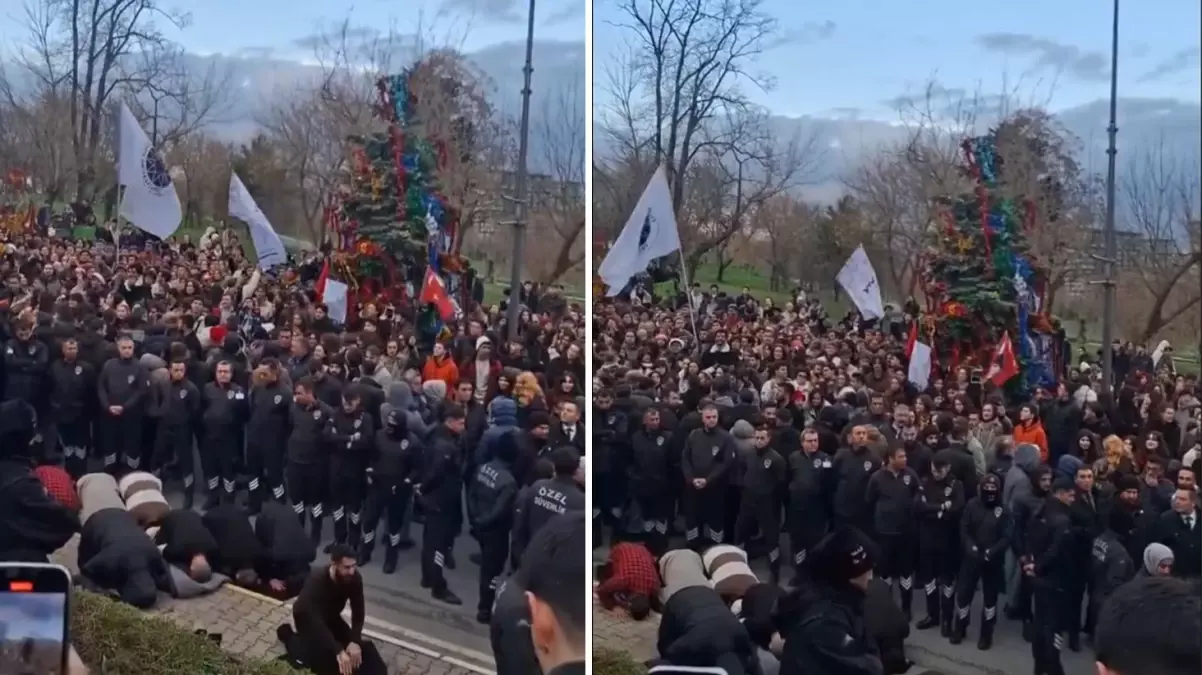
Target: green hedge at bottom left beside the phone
117 640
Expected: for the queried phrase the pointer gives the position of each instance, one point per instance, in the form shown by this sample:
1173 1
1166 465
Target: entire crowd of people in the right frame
799 439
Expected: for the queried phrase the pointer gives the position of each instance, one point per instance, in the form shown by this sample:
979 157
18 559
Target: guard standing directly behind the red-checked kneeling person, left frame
73 407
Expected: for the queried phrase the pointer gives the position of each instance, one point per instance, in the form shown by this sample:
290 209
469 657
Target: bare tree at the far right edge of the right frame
1163 195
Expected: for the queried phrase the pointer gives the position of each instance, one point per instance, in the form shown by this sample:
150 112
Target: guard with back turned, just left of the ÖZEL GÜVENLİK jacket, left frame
491 499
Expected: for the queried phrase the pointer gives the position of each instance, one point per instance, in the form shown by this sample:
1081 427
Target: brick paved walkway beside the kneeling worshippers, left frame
248 624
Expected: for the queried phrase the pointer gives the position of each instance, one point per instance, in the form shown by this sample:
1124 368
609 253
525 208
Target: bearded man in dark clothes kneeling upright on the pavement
322 641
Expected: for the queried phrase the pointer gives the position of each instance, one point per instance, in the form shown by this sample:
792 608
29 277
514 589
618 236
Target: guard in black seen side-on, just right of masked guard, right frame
1049 564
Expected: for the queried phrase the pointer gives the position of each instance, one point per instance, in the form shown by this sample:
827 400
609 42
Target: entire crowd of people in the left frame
180 369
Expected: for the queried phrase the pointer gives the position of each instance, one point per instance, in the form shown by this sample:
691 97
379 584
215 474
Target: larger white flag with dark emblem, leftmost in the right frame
651 234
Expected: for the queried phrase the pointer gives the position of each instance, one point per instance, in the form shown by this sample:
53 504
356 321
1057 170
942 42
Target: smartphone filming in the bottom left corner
34 619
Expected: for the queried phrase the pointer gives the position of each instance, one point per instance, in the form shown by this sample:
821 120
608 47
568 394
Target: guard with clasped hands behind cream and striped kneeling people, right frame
710 457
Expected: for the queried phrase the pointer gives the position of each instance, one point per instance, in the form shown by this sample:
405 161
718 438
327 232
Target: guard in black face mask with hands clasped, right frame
941 503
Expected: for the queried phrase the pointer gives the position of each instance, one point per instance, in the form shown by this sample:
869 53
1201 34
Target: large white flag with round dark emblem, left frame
151 202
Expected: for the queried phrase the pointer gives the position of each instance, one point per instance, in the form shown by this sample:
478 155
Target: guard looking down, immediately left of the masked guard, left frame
352 441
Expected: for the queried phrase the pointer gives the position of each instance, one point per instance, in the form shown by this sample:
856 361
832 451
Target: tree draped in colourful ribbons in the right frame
983 282
